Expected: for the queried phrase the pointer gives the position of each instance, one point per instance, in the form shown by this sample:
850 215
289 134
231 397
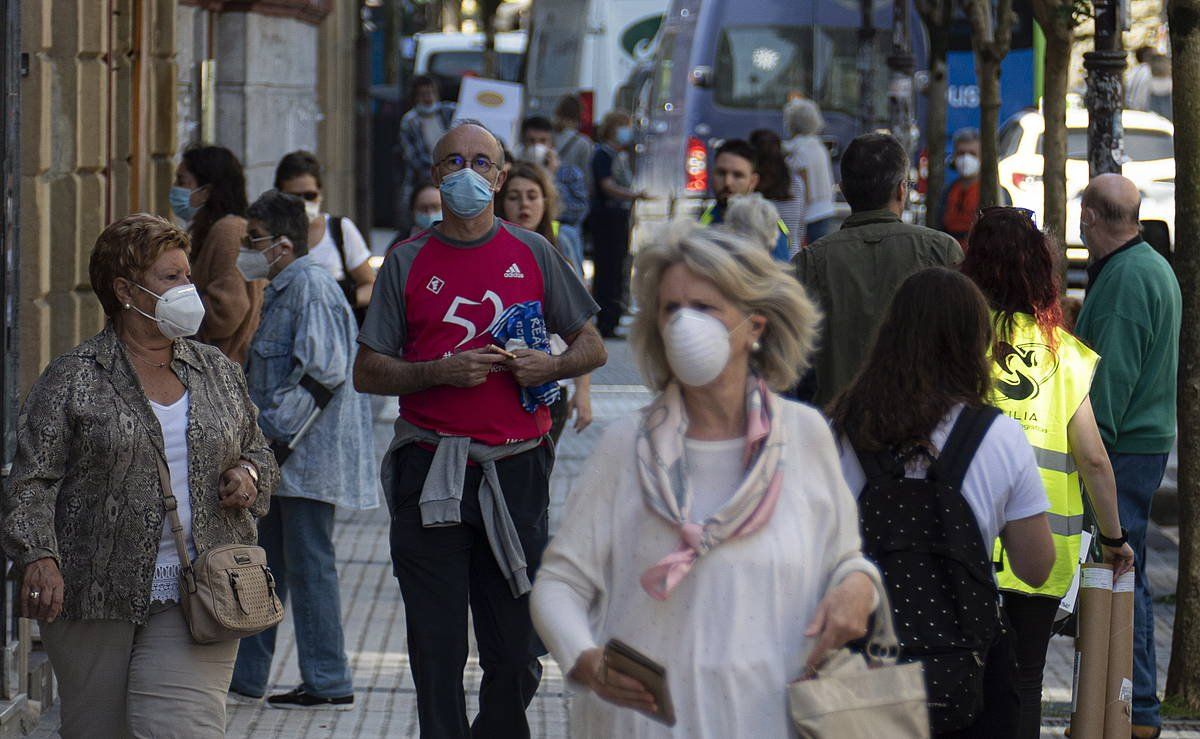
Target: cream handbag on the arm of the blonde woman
854 698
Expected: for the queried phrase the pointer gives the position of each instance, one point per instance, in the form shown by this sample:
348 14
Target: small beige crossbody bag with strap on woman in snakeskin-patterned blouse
229 593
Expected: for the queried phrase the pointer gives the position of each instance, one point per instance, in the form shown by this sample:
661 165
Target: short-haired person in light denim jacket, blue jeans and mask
297 374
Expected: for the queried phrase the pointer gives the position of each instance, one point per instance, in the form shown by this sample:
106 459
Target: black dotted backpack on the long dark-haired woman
937 568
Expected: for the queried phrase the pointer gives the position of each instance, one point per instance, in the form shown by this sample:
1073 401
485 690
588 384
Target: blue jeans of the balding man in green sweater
1138 479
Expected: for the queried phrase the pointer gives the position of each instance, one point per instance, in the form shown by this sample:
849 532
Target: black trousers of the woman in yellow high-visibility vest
1033 618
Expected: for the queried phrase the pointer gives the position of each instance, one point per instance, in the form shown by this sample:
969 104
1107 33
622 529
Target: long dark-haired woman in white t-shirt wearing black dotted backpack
939 476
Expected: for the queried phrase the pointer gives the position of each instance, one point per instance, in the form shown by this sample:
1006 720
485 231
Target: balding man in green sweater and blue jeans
1132 319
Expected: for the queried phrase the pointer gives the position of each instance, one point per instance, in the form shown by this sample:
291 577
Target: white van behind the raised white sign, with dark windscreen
449 57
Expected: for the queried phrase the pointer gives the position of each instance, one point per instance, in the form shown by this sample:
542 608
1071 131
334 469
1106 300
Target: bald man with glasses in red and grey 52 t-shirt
467 476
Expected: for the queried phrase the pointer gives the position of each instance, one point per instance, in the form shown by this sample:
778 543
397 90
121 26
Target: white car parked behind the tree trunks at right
1150 164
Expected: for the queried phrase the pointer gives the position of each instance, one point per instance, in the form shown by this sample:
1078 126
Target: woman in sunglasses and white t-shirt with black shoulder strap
335 243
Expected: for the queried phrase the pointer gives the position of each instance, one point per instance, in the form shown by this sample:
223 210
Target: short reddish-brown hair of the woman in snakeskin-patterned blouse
128 249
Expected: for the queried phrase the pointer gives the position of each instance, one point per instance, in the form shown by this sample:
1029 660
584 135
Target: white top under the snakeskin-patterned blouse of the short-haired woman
173 420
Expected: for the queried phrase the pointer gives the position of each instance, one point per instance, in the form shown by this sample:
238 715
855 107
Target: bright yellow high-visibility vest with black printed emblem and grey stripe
1042 388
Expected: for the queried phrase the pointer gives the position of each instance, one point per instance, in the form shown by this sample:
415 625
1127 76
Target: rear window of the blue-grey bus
758 67
